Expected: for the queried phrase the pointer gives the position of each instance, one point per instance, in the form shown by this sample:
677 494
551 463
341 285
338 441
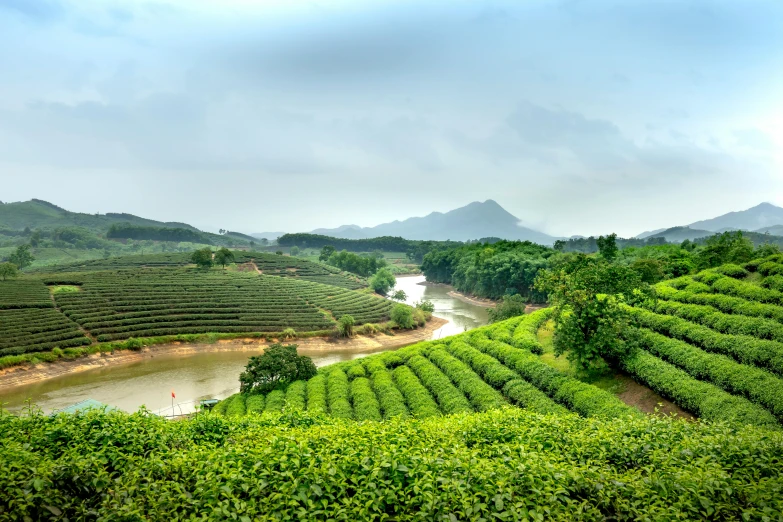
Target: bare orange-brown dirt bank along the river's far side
21 375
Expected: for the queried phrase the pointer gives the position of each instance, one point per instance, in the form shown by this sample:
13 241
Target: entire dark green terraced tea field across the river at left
151 302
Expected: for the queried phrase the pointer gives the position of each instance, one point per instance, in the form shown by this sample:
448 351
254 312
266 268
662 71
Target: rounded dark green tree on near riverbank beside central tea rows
277 366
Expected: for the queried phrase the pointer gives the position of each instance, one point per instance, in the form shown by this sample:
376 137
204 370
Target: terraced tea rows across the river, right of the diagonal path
153 302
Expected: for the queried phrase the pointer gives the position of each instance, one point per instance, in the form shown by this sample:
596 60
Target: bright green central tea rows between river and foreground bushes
467 372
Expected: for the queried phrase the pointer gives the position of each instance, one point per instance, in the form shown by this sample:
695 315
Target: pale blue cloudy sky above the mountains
577 116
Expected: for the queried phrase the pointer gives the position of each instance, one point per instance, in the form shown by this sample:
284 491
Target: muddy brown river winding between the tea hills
203 375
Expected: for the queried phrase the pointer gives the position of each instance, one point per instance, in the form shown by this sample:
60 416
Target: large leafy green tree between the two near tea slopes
590 322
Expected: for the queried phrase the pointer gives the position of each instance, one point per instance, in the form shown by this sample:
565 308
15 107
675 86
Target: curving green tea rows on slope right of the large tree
713 343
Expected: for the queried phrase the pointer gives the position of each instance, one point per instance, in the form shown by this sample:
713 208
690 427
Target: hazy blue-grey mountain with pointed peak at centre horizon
473 221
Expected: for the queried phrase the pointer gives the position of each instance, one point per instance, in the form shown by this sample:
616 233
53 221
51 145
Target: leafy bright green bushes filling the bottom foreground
508 464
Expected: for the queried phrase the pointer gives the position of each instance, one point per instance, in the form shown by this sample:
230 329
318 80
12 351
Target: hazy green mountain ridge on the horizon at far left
41 214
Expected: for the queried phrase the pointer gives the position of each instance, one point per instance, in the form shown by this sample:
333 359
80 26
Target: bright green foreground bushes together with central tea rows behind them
474 427
